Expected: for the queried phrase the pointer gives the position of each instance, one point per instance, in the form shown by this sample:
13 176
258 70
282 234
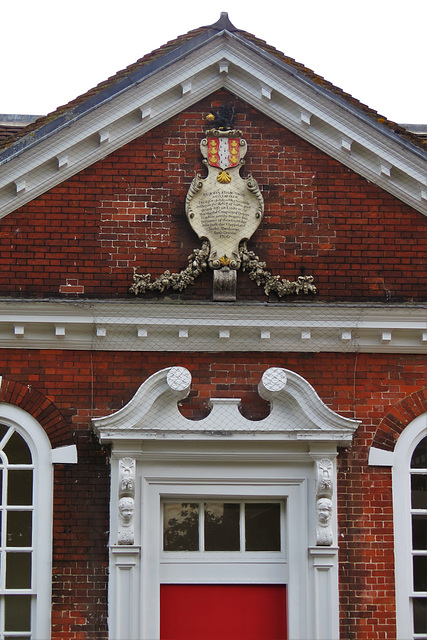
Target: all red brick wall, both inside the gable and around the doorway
83 238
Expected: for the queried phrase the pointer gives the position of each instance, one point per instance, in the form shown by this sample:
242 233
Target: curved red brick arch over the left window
39 407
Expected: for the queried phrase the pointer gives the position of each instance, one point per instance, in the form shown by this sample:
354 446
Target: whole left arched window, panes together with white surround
25 526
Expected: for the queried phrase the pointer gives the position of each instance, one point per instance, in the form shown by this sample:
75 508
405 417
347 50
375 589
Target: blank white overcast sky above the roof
52 51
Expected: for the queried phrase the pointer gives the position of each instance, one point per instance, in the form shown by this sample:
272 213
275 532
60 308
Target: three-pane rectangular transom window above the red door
222 526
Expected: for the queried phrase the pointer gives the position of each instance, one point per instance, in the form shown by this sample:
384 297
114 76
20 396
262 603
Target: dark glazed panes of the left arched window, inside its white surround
16 535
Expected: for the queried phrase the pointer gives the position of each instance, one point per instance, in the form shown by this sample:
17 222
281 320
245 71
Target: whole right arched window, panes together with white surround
410 526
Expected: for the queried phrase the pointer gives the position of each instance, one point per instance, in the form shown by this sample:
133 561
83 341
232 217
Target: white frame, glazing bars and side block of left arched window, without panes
17 420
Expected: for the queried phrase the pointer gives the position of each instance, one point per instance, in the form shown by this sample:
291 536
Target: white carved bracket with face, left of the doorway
126 504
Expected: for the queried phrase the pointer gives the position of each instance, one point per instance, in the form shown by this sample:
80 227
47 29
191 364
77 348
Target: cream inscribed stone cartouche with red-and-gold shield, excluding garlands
224 208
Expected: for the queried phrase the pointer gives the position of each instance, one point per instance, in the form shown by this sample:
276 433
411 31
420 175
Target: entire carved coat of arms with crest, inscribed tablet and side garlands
224 210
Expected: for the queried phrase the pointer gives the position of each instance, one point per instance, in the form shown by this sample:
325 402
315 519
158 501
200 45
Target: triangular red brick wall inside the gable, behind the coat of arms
85 237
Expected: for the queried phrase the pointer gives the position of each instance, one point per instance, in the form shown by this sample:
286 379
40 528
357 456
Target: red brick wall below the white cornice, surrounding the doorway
64 389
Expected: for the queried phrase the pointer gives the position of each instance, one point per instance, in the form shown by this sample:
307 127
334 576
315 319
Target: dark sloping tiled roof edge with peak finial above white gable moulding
160 57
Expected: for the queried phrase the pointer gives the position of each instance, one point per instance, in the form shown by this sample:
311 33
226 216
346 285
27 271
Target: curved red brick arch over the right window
398 418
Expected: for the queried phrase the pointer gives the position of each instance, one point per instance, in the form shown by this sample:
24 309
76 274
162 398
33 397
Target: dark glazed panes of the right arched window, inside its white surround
418 472
